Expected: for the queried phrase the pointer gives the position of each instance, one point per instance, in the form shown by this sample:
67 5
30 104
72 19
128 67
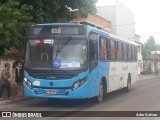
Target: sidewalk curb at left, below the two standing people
14 100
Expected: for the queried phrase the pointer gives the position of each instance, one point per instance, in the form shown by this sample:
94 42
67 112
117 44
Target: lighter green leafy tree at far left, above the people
13 23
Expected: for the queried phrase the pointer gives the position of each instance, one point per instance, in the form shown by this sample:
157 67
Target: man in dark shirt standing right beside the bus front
18 69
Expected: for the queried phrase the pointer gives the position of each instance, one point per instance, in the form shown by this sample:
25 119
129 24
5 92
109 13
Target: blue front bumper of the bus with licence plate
60 93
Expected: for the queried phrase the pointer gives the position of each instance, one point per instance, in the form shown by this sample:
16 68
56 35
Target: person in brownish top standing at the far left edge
5 81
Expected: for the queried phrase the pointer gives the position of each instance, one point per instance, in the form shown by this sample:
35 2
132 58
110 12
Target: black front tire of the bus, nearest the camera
102 94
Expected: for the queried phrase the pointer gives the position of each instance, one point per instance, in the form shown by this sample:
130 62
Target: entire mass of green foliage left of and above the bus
17 15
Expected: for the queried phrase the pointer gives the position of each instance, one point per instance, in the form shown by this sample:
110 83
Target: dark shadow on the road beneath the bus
68 103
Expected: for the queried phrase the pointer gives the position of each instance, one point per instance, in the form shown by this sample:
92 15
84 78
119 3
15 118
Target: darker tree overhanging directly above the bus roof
45 11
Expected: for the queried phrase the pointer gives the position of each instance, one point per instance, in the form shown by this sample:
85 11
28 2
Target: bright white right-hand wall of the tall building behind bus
124 22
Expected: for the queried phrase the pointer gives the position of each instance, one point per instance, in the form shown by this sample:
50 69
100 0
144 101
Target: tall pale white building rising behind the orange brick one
122 19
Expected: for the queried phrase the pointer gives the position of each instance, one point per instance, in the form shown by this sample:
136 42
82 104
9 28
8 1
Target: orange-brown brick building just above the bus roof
96 21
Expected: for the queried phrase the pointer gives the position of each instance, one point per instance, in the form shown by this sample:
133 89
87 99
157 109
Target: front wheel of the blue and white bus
100 97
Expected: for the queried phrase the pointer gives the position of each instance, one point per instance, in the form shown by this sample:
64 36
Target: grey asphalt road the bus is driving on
144 96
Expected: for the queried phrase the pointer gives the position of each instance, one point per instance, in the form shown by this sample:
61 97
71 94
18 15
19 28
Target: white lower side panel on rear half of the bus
119 72
